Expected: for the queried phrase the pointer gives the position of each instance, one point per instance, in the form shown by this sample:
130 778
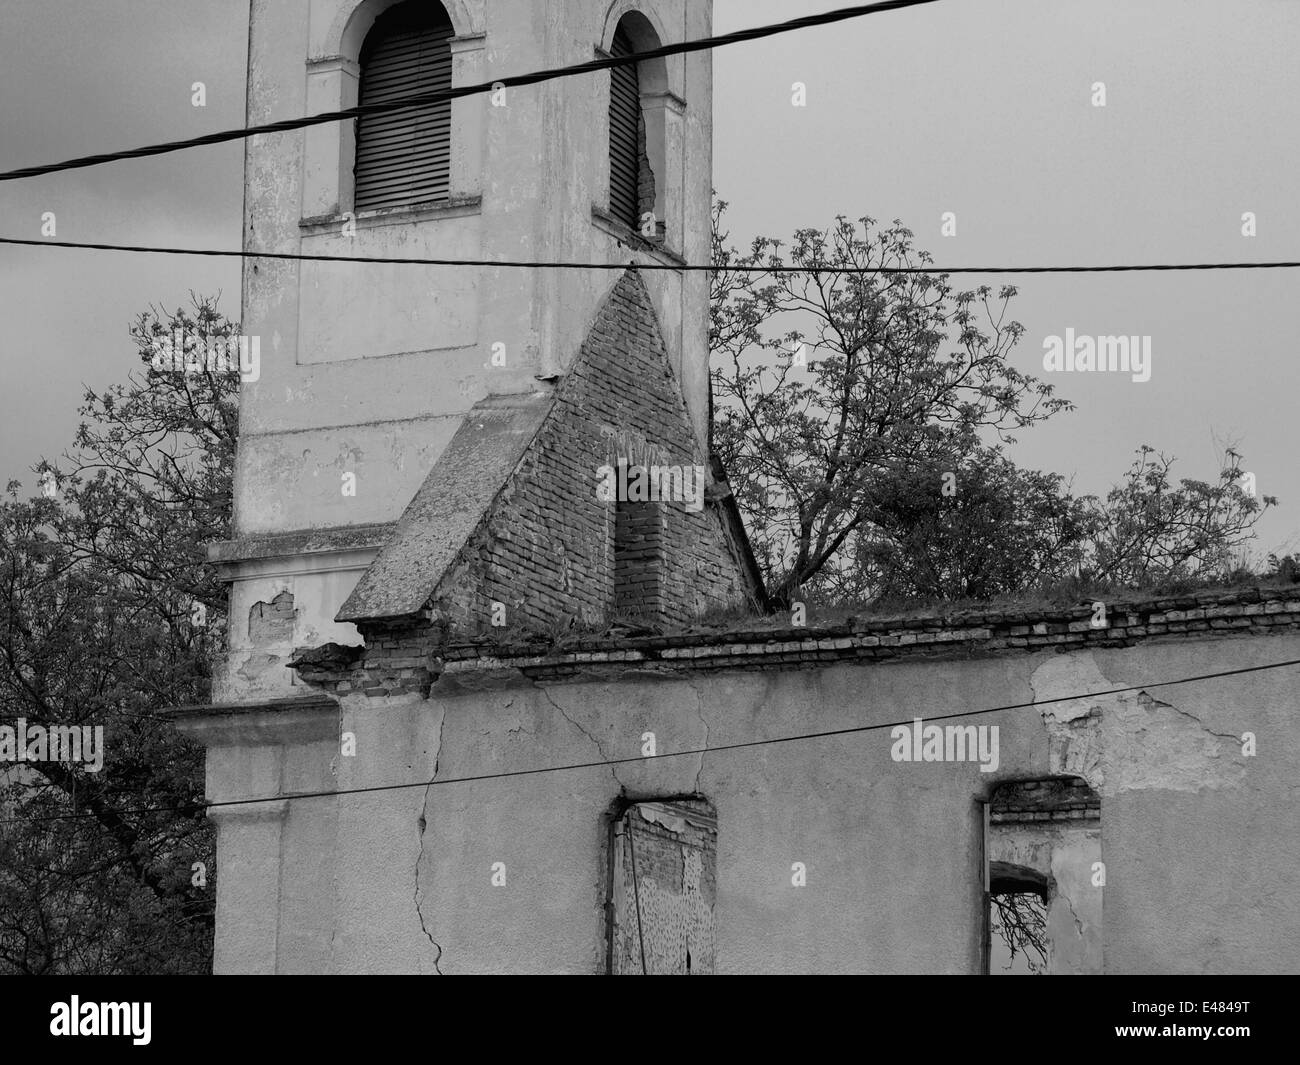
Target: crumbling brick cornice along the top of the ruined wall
1249 612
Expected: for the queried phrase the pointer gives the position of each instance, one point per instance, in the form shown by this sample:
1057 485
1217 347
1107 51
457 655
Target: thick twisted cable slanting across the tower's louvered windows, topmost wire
426 99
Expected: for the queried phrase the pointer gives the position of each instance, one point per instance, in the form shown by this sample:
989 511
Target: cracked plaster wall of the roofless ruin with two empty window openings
1198 839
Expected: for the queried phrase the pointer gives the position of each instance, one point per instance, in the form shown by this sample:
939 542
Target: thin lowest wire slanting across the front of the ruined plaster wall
697 752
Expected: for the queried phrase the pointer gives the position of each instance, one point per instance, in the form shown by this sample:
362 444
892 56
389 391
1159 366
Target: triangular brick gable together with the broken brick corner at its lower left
547 548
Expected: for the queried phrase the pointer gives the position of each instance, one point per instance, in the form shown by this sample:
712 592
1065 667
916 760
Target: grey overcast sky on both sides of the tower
978 107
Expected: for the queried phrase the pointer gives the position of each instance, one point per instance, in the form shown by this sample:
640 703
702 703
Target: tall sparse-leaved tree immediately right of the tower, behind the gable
844 373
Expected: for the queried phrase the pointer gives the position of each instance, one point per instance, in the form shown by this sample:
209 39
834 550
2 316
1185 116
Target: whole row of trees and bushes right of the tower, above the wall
863 405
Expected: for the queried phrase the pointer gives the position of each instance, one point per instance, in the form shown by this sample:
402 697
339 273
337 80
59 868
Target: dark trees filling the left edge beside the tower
110 614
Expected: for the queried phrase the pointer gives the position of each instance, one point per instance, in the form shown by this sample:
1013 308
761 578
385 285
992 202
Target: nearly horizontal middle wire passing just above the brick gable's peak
679 267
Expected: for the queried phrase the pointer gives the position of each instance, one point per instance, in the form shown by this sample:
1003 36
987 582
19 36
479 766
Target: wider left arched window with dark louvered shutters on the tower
405 157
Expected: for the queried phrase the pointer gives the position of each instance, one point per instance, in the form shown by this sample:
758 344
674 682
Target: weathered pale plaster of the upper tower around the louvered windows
348 349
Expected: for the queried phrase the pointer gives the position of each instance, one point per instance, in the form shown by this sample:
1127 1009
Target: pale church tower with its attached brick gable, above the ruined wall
424 443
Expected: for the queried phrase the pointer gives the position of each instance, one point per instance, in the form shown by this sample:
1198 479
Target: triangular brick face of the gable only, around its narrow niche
547 547
